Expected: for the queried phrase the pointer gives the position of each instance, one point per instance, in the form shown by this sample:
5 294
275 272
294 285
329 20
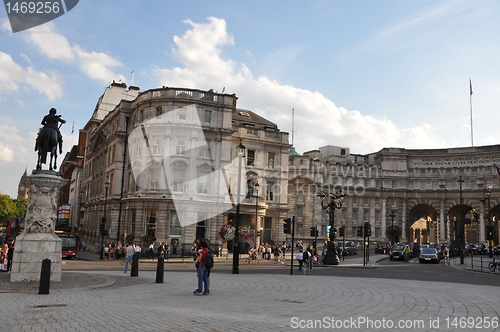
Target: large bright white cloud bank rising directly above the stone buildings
318 121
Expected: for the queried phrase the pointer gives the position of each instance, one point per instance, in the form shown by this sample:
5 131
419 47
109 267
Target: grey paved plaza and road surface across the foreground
113 301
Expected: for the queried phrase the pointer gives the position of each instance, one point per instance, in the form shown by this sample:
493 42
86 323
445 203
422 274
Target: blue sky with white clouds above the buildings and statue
358 74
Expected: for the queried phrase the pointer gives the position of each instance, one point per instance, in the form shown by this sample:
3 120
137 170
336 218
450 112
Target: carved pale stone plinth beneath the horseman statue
38 241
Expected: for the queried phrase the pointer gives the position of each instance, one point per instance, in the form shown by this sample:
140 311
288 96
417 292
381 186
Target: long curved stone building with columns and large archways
427 192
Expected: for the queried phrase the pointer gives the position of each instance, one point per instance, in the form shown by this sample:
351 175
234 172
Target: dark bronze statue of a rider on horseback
48 138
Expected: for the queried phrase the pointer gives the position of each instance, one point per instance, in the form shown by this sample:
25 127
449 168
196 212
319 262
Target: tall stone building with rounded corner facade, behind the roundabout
170 160
